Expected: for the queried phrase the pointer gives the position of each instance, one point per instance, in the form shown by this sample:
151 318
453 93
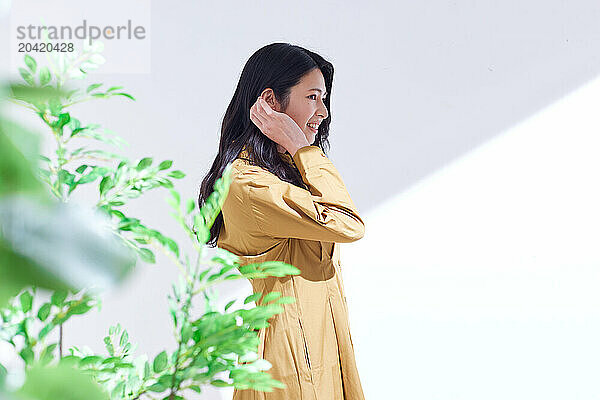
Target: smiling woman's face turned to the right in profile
306 103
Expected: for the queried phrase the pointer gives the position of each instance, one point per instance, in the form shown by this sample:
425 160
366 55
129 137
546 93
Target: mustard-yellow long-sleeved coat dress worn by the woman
309 344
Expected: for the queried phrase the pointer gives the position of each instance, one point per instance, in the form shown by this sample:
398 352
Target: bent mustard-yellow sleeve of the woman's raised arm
282 210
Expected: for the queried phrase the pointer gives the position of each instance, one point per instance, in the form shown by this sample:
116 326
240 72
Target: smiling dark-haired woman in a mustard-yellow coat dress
288 202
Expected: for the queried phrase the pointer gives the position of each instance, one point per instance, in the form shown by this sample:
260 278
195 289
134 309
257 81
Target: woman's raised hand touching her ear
279 127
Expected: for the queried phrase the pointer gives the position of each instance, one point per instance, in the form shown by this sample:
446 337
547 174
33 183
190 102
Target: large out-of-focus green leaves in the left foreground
23 200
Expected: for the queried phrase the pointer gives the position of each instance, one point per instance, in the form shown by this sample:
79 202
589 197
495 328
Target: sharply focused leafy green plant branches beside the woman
212 345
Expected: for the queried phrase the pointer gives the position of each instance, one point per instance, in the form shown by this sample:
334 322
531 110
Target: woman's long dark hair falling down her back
278 66
